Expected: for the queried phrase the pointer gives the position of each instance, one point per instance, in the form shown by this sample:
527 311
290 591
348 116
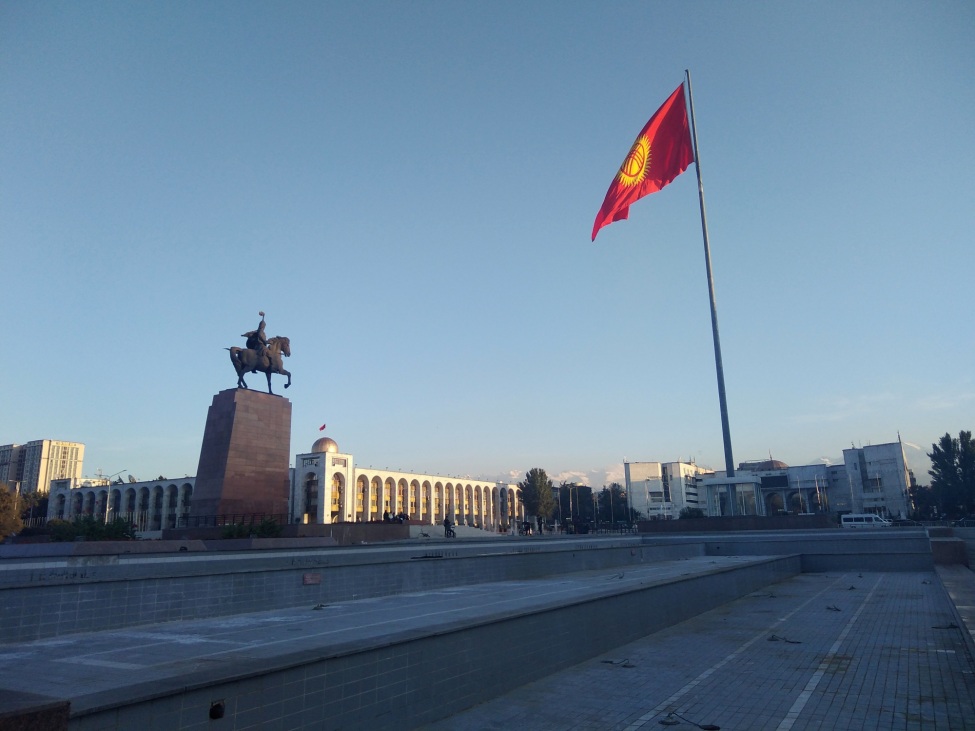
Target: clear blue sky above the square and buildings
408 190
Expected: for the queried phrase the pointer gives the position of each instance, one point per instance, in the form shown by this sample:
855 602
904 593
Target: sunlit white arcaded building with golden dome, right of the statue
327 487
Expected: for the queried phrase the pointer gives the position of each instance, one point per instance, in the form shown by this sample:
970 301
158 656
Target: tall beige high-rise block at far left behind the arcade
30 467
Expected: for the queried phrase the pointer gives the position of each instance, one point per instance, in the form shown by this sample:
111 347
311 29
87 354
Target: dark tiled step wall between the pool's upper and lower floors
407 682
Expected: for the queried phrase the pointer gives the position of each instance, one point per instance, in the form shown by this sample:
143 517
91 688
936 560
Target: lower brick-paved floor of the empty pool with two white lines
833 651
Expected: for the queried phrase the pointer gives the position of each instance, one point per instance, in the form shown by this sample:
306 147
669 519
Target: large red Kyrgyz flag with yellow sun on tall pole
662 151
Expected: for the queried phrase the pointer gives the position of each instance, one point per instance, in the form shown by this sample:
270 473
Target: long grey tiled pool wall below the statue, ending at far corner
50 596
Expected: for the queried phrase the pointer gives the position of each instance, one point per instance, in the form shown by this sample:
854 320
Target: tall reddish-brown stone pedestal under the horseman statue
244 458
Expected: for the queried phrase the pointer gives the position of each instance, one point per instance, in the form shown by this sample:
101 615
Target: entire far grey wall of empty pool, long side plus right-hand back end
91 588
